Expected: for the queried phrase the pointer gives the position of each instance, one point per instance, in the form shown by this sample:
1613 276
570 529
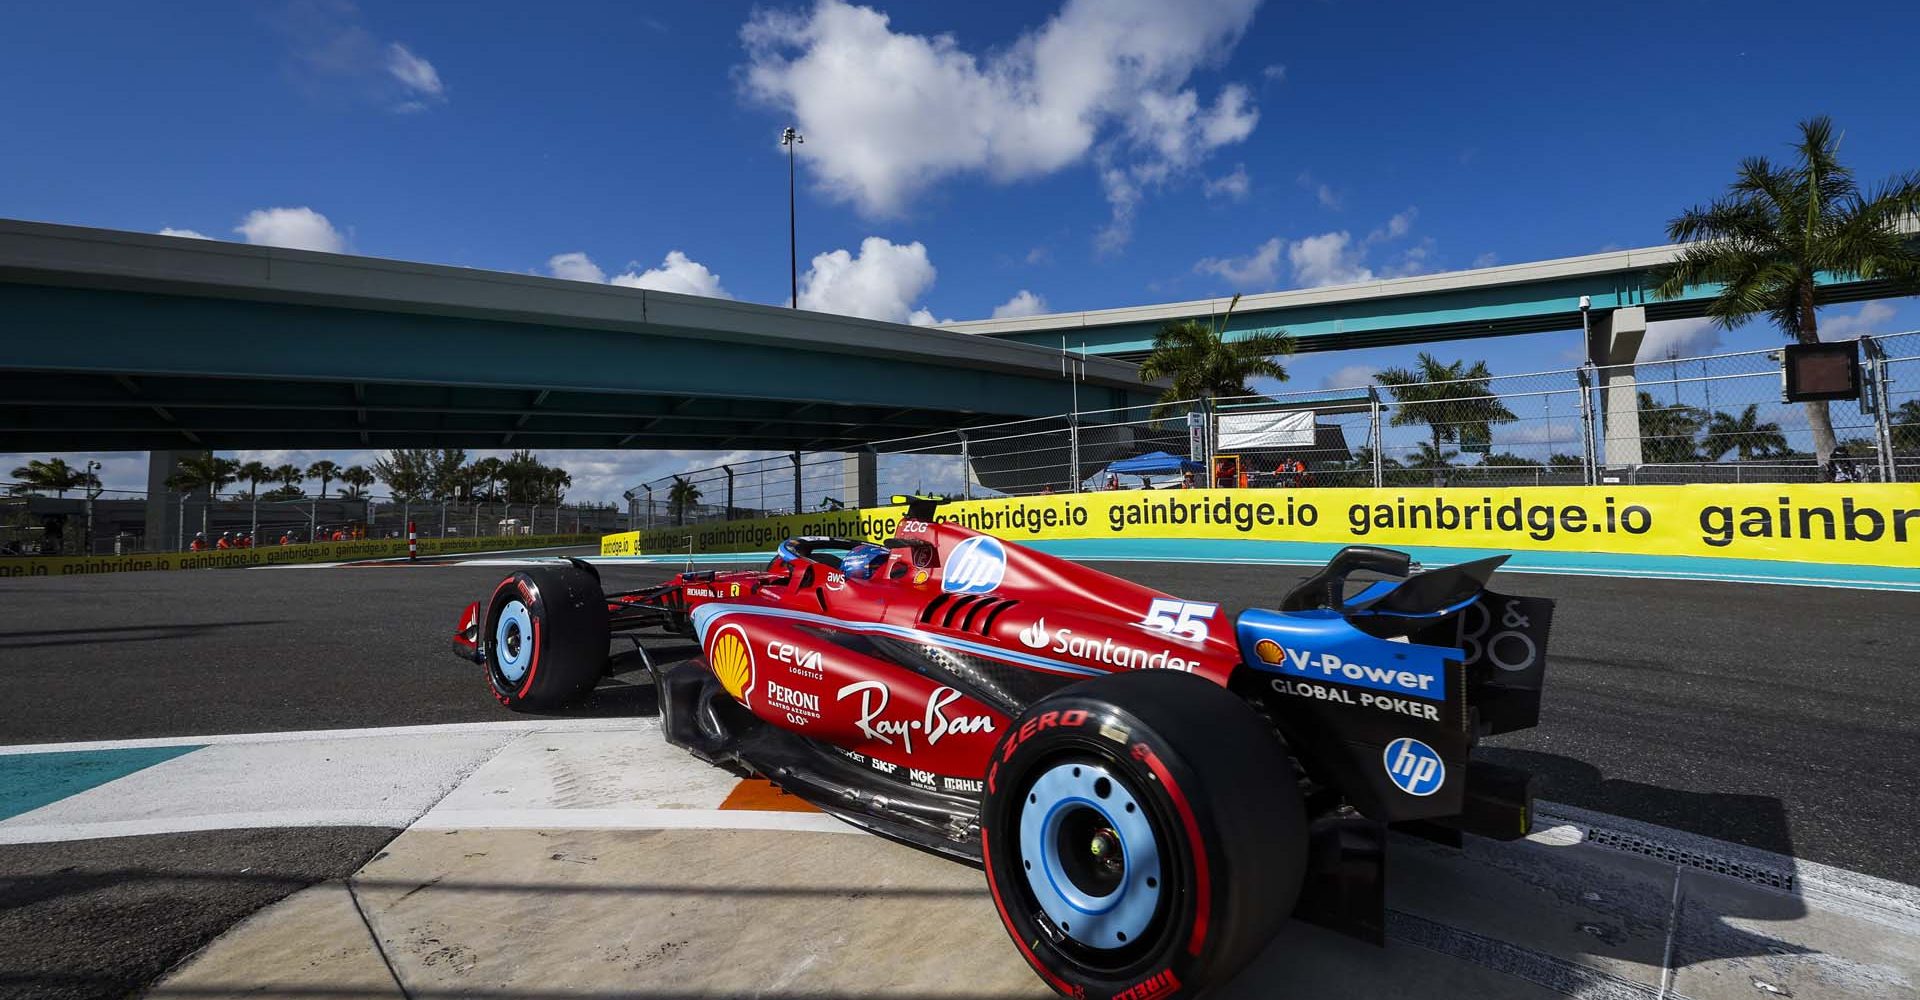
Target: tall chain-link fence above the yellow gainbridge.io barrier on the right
1664 421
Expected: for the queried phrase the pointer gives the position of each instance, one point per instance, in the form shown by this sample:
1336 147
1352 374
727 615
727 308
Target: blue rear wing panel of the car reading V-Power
1320 646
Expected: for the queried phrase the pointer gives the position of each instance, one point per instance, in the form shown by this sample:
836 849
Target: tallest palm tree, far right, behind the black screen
1783 226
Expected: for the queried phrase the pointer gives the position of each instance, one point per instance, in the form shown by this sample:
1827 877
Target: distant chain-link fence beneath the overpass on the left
120 521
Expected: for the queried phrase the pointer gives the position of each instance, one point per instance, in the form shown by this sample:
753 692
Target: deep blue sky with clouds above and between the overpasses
957 156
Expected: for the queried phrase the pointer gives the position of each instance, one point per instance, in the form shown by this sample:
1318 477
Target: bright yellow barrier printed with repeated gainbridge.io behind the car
1869 525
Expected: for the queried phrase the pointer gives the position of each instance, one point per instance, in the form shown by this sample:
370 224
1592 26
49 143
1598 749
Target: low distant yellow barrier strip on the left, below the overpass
276 556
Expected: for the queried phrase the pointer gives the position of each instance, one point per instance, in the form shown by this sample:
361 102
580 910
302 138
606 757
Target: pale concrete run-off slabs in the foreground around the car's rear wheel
592 861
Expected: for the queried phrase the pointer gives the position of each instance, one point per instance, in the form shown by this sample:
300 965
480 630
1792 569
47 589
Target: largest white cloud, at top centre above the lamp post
888 114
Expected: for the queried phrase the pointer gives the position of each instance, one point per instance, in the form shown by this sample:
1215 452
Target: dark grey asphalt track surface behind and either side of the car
1764 715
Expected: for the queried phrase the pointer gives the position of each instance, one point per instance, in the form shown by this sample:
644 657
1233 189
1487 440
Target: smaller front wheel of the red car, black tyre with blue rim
546 638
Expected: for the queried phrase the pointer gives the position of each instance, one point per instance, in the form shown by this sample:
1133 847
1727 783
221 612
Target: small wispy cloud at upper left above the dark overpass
337 57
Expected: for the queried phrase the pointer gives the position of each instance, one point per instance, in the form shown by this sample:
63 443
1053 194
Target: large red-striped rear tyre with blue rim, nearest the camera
1143 836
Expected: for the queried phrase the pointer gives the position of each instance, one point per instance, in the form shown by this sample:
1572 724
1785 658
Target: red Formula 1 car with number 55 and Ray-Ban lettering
1149 786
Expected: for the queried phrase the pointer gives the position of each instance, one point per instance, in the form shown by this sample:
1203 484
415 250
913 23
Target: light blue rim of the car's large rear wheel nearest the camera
1072 794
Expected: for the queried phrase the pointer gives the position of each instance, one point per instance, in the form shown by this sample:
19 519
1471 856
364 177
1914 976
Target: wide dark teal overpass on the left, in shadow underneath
133 343
